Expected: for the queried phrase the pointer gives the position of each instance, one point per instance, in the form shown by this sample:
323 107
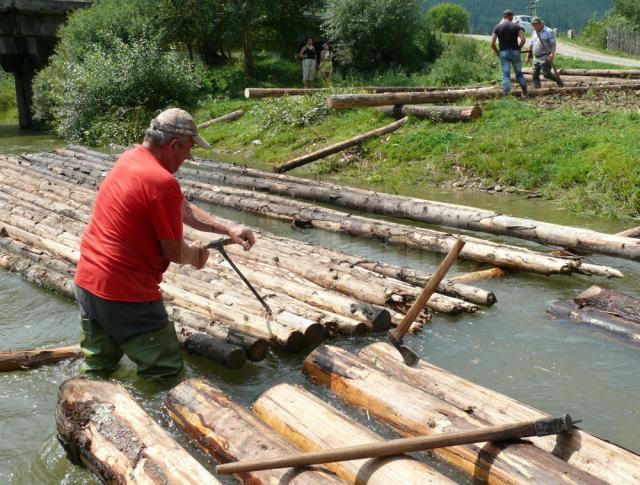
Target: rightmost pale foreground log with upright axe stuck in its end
595 456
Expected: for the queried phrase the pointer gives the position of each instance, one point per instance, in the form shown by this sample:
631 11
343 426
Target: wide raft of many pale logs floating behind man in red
45 203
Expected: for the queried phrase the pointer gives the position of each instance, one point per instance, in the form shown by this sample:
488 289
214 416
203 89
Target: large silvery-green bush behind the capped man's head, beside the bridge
112 94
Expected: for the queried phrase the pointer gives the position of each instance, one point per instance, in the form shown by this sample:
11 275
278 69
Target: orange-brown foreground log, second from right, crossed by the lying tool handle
411 412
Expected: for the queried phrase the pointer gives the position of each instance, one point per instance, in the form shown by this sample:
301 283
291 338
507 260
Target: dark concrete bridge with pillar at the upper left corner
27 39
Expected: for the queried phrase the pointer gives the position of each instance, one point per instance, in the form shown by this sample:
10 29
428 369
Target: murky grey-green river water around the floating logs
513 347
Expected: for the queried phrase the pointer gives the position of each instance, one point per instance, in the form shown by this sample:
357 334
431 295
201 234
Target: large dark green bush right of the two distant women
372 35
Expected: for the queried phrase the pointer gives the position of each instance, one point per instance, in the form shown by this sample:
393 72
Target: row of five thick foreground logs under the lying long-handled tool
412 401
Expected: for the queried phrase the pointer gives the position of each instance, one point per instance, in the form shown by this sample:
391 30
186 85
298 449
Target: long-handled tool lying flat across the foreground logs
541 427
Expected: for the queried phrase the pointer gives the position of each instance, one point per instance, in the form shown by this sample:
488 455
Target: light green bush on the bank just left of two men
463 62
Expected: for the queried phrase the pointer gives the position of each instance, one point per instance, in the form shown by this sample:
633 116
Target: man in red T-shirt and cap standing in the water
135 231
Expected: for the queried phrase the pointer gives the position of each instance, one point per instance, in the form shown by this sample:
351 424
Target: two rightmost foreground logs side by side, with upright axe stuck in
428 400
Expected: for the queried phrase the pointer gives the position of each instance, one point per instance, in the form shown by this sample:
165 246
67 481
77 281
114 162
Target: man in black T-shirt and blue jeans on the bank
511 39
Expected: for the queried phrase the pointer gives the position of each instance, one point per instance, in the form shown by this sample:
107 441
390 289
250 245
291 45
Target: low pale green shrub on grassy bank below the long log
276 114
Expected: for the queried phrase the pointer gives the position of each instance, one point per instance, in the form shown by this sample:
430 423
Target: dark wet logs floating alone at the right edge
614 312
